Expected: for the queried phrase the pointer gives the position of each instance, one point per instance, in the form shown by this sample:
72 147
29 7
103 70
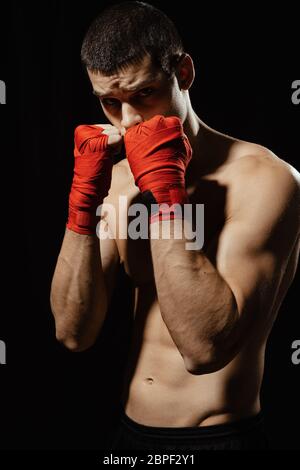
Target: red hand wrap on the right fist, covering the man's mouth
158 153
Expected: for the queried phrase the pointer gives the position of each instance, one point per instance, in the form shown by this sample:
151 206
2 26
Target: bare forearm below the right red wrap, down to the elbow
196 304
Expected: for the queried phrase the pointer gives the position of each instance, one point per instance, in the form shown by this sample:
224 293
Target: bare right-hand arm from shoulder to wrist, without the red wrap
211 311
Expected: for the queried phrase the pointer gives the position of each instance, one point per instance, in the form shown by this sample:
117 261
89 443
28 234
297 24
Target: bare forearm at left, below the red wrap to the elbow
78 293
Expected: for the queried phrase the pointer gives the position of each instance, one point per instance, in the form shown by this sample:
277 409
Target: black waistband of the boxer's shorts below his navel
241 426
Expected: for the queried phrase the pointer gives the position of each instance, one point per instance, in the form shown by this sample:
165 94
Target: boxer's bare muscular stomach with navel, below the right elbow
160 392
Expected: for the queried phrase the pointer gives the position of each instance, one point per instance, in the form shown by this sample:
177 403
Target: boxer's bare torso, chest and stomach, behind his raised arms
158 390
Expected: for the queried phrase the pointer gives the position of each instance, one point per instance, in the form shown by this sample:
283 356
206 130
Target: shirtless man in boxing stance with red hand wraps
202 317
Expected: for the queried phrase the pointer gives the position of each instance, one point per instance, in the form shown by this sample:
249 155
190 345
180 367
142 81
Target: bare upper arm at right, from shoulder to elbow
257 241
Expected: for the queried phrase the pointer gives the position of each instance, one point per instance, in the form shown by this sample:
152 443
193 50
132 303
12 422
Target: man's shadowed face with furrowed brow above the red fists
137 94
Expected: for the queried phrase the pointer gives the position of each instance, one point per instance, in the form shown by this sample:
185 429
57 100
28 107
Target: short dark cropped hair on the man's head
125 33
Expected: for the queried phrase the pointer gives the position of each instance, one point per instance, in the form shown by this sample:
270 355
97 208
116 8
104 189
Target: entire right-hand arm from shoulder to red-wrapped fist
211 311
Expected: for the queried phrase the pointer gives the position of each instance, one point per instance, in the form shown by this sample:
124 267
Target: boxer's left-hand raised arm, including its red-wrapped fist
85 271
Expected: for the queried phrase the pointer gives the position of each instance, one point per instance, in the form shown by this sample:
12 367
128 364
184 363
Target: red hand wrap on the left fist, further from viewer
92 178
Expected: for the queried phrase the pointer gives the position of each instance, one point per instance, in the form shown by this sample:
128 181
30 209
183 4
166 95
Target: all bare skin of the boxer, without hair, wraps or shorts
202 318
